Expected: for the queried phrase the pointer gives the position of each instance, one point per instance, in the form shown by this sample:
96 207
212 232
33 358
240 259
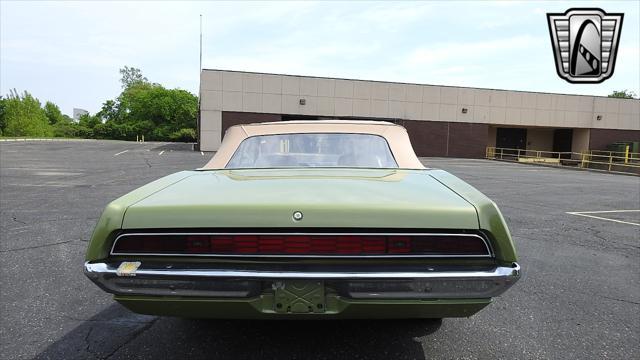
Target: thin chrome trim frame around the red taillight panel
489 254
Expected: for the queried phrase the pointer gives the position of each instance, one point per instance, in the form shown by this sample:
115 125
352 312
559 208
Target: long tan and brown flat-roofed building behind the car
441 120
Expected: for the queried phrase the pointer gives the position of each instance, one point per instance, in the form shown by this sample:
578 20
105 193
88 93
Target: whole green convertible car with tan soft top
305 219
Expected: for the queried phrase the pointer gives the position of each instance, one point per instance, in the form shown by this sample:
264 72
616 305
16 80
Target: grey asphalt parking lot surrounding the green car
579 296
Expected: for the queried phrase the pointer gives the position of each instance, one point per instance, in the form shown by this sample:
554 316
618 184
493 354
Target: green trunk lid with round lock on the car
335 198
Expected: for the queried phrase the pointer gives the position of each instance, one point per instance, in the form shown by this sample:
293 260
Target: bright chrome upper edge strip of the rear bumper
93 270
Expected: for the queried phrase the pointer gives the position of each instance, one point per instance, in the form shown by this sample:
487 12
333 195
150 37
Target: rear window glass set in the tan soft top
313 150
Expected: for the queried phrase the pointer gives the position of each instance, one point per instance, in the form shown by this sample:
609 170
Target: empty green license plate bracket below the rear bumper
299 297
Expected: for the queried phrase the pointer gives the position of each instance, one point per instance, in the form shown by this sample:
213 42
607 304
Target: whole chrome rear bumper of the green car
426 282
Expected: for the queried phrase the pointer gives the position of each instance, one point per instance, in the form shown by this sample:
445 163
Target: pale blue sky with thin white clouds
70 52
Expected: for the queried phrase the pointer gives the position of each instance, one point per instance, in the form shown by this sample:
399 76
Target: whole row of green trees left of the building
142 108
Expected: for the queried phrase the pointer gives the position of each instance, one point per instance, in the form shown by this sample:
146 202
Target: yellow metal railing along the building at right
626 161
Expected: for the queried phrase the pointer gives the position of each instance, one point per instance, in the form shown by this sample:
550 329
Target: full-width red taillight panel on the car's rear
312 244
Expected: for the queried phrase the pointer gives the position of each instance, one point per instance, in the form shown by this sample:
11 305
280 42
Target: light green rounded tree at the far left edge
23 116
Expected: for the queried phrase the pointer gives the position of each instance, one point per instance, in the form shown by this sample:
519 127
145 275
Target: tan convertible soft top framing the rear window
395 135
